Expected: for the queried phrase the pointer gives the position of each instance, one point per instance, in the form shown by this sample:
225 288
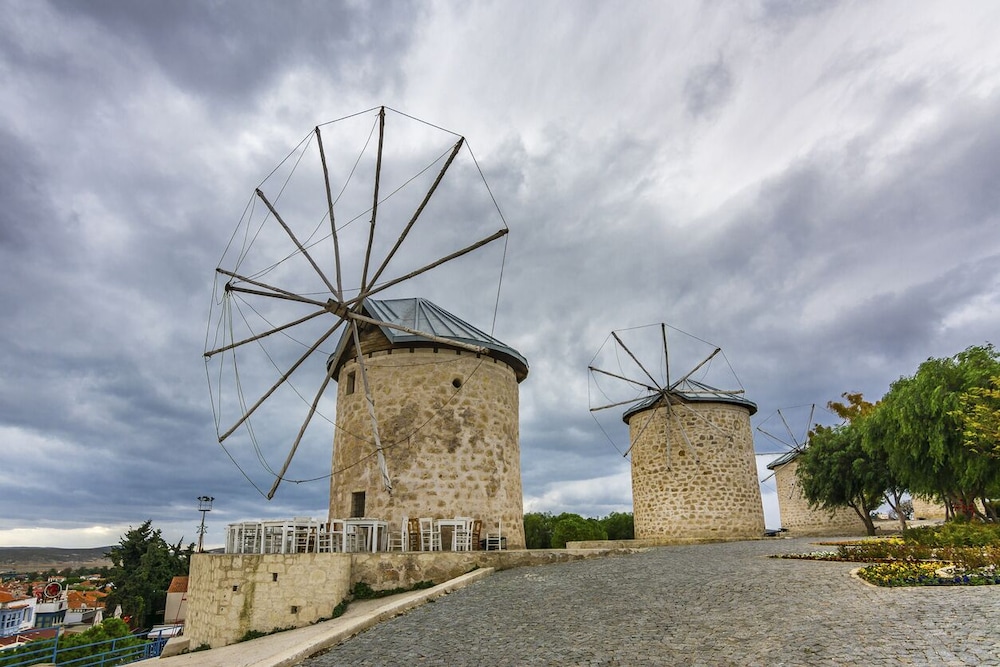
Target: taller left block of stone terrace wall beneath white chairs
231 594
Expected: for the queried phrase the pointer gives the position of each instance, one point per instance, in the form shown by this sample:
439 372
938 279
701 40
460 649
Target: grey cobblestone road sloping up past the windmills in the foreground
711 604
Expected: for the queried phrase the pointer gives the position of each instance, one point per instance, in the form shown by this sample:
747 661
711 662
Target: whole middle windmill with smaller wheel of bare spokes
694 474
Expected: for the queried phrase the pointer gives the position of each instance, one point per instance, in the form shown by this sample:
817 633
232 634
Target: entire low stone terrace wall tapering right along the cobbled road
230 595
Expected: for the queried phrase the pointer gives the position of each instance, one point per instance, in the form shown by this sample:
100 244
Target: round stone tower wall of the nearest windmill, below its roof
448 422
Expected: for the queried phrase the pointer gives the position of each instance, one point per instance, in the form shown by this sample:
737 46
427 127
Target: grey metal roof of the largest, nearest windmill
422 315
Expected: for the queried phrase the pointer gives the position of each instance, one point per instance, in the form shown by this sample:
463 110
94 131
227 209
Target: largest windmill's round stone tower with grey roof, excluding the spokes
447 420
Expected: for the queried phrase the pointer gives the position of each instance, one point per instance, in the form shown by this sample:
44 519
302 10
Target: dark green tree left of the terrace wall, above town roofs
142 566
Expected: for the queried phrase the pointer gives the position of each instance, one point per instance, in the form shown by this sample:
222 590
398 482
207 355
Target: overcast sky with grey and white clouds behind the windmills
811 186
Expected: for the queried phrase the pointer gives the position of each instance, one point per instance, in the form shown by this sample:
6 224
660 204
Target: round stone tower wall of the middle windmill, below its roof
711 492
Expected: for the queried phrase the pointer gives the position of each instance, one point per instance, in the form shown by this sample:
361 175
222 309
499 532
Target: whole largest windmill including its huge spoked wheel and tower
425 421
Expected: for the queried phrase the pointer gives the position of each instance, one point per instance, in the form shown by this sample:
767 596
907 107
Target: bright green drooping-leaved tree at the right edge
918 427
